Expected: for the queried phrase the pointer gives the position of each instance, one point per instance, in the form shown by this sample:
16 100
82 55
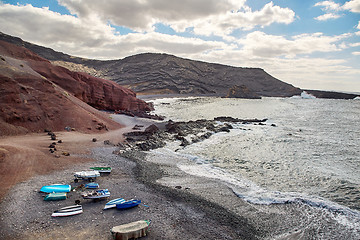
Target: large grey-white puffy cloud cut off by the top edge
205 17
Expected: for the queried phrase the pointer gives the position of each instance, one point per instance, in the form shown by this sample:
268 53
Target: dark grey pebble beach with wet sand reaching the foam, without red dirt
180 205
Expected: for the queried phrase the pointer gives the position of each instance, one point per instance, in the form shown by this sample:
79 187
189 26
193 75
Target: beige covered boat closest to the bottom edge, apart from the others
131 230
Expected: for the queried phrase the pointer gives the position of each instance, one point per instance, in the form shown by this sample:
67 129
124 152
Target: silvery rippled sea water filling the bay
308 153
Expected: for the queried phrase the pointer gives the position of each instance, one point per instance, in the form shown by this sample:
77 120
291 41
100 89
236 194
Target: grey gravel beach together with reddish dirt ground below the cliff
185 207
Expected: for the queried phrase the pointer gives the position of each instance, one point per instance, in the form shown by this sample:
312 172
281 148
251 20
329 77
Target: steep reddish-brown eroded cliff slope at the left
34 95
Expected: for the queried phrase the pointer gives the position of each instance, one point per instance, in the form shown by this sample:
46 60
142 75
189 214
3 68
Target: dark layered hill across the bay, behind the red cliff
153 73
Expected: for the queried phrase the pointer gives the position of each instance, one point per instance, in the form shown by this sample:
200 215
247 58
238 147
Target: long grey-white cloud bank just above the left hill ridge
90 37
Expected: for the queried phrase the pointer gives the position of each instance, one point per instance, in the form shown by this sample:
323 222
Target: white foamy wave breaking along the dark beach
254 194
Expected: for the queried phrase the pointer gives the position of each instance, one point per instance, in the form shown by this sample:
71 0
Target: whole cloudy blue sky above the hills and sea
310 44
